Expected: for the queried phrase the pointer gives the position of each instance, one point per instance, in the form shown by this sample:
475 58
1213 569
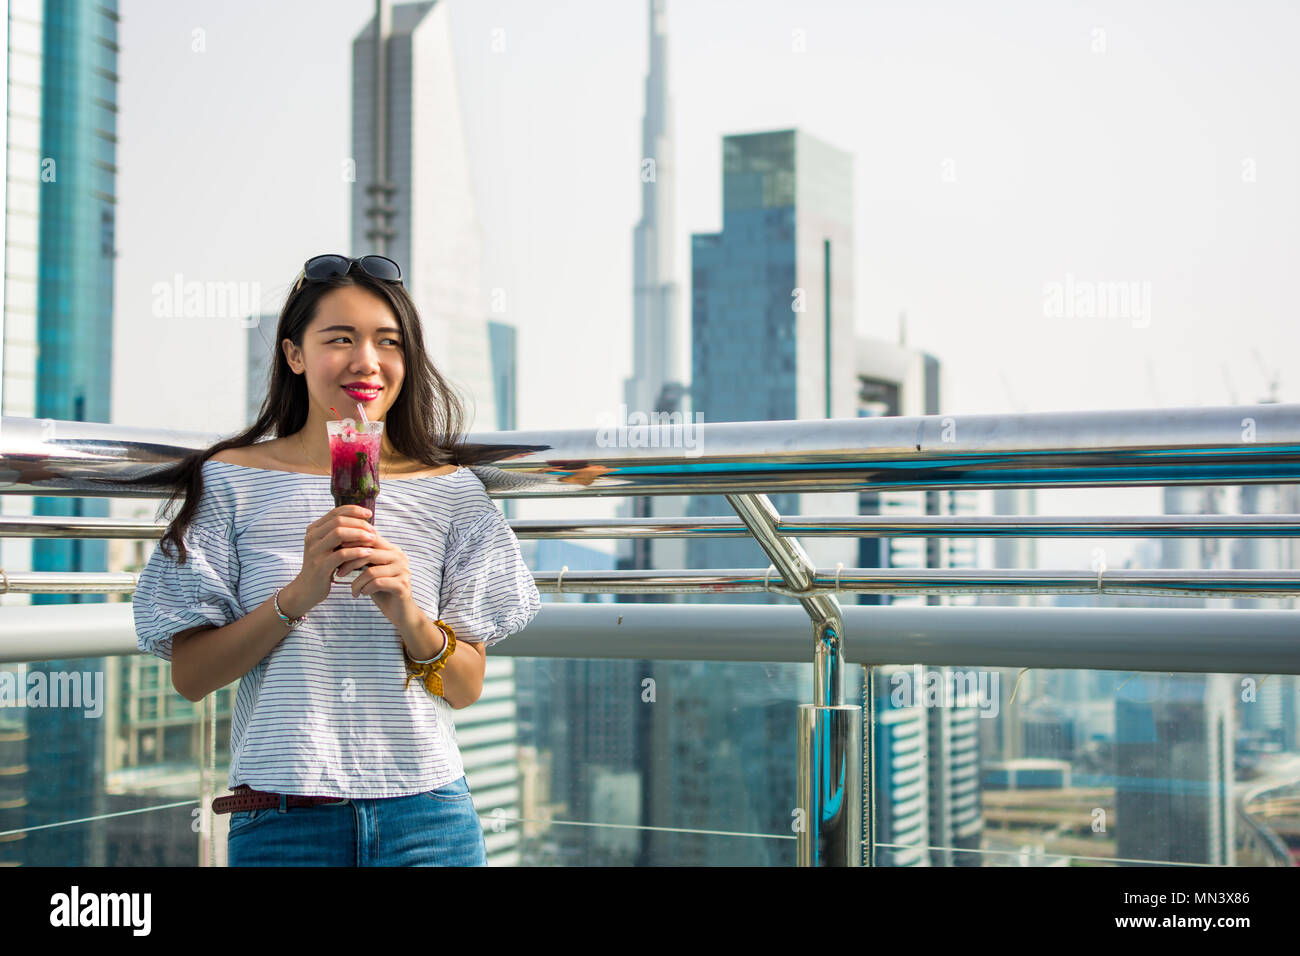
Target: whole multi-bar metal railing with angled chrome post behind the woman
746 462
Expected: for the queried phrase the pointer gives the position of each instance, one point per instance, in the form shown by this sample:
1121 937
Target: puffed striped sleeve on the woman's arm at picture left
172 598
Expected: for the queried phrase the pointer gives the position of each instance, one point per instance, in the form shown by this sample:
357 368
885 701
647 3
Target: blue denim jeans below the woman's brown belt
439 828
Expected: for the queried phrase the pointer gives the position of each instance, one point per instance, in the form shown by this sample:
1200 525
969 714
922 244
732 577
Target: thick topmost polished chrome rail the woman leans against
1250 444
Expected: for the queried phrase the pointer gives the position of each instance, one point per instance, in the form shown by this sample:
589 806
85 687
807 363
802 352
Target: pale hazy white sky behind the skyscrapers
999 149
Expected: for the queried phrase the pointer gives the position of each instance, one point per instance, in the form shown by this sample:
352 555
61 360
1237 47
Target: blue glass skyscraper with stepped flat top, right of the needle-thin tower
773 317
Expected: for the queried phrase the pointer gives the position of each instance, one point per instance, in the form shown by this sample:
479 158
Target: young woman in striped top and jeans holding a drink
339 756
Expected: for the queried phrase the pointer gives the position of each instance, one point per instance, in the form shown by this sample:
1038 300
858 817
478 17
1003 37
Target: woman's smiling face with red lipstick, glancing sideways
356 339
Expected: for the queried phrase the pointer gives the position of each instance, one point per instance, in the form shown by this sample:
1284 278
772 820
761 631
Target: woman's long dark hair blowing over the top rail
426 422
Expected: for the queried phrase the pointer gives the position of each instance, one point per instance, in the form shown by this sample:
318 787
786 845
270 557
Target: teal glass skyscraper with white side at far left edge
59 343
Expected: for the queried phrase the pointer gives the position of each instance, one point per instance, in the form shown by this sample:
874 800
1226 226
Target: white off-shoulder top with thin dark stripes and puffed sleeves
330 711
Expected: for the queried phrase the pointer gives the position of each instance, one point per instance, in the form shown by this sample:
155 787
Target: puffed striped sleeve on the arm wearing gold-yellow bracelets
488 592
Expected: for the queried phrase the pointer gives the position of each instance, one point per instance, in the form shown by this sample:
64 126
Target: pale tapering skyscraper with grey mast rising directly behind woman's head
419 210
